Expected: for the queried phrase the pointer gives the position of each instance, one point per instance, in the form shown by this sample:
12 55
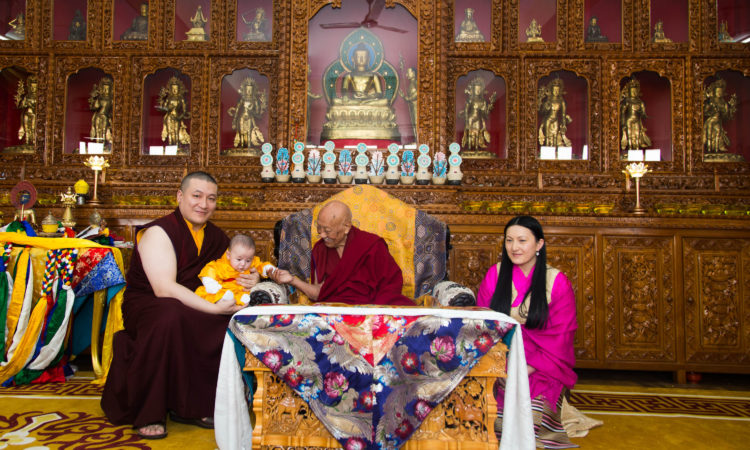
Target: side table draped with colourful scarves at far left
53 293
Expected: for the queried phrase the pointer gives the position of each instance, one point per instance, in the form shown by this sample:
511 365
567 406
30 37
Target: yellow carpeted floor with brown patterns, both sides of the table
68 416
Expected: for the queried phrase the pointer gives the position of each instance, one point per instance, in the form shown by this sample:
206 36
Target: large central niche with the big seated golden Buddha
361 72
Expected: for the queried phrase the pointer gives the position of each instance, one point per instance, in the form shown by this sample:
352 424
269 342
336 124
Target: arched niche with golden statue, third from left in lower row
165 115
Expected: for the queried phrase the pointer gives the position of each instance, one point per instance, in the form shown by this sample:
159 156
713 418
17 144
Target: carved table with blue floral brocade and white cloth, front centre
371 376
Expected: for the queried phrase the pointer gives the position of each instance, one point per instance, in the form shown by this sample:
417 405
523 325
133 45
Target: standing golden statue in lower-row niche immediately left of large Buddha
250 107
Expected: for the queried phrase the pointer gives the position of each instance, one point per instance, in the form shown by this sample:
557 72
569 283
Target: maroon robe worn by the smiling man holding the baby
167 357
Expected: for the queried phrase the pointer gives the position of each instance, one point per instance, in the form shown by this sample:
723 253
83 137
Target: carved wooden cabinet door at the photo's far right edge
717 300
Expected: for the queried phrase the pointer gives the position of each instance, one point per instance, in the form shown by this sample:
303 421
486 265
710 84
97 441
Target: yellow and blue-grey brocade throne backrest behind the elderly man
416 240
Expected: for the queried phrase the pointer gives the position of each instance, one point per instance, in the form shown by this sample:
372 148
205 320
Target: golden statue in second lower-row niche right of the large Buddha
555 119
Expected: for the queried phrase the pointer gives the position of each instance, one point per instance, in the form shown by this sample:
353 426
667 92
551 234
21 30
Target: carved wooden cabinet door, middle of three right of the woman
639 299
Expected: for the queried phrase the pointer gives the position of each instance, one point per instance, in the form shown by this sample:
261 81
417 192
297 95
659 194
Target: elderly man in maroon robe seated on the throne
349 265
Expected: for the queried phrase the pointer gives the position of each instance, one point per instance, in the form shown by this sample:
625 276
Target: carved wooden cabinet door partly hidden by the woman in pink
575 256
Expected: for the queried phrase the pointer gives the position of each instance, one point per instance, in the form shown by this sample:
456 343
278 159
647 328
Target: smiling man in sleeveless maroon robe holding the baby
167 357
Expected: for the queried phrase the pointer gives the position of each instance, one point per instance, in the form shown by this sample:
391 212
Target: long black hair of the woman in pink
501 299
